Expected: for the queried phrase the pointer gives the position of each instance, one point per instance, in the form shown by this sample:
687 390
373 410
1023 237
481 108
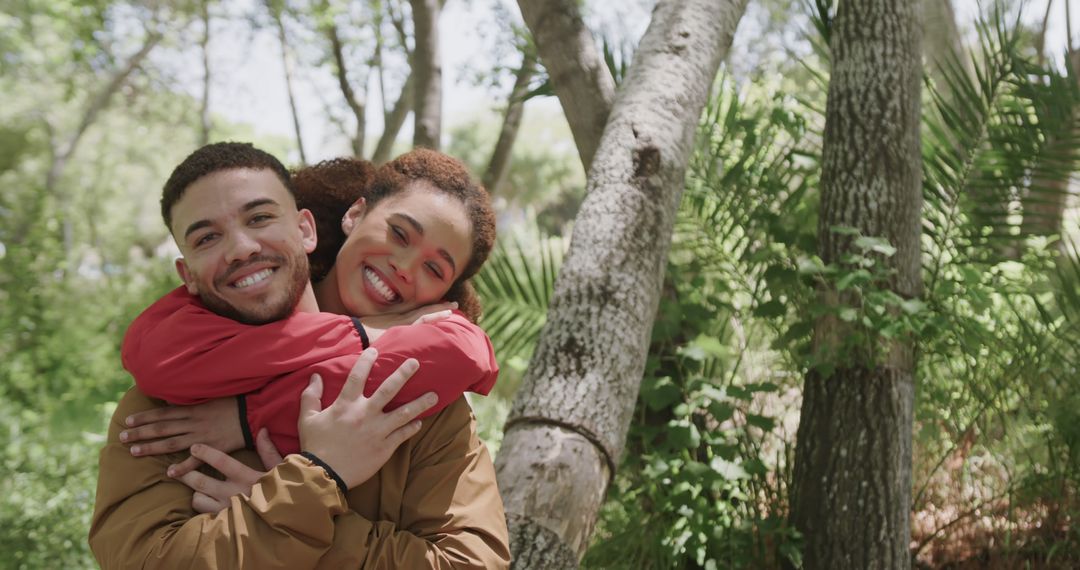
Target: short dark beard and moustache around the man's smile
273 310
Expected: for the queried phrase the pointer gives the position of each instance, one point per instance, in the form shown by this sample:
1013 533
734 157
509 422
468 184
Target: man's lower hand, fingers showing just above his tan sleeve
213 495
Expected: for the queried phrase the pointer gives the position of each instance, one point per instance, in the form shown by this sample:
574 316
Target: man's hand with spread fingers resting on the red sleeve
354 436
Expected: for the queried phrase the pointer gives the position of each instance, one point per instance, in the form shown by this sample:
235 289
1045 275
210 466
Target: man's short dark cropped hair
215 158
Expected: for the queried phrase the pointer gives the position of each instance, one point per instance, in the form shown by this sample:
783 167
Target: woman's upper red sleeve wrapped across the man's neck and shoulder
180 351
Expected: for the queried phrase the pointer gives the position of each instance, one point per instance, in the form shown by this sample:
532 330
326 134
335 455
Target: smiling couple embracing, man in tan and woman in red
328 393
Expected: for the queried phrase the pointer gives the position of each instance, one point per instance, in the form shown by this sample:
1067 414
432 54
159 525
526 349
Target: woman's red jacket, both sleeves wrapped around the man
181 352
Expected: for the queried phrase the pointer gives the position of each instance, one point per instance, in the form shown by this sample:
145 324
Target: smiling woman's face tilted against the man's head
402 254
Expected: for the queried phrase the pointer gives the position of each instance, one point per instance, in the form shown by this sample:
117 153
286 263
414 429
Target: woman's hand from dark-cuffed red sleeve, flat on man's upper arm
175 428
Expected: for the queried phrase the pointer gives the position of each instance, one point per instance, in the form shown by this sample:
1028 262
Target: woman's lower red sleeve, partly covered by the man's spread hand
455 357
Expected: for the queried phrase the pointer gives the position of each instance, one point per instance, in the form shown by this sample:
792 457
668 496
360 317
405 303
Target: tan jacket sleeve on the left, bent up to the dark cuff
144 520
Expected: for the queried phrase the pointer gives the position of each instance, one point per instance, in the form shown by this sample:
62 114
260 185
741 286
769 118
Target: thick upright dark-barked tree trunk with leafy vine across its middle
853 476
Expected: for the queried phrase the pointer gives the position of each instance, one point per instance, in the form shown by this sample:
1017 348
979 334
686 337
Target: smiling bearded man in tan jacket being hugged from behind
433 505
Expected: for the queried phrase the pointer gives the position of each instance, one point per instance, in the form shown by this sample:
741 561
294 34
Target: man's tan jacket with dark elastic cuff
435 505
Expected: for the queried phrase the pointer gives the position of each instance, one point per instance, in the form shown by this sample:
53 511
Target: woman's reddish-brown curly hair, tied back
329 188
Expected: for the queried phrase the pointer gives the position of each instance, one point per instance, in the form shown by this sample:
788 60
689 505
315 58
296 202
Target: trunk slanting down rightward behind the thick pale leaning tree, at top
583 83
